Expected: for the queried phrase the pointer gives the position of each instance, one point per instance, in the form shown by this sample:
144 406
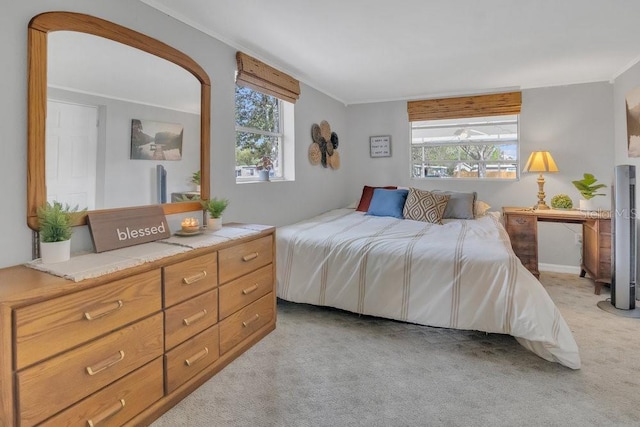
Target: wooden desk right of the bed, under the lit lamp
522 227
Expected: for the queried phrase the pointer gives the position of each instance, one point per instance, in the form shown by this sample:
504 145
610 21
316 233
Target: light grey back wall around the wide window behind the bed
574 122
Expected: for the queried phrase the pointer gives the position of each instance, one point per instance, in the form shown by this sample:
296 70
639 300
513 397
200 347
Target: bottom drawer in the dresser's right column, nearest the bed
245 322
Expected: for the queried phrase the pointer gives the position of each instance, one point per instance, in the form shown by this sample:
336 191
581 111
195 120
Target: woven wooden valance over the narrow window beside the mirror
262 77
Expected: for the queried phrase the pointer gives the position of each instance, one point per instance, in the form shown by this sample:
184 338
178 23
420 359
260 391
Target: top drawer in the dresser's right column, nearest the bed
244 258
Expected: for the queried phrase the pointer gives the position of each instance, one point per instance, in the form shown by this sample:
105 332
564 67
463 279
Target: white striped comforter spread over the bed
461 275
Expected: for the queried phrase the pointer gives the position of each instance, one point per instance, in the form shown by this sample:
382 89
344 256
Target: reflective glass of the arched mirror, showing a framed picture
123 126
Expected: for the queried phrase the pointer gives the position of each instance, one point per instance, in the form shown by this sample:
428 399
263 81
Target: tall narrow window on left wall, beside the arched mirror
259 133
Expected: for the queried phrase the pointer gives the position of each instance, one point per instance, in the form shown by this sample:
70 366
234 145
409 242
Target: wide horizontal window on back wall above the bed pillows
475 148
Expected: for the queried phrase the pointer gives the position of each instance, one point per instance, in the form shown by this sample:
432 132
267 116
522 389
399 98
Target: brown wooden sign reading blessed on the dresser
121 228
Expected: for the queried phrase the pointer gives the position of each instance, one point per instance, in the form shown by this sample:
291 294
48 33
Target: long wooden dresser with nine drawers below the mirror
124 348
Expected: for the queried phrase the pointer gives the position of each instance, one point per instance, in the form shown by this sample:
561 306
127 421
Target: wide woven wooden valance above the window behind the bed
467 106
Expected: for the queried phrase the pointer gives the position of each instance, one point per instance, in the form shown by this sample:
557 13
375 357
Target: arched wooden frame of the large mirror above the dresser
39 27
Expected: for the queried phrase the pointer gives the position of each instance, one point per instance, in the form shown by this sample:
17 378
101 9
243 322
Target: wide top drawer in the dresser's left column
51 327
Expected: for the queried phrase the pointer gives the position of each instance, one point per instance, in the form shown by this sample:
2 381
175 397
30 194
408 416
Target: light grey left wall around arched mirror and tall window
315 189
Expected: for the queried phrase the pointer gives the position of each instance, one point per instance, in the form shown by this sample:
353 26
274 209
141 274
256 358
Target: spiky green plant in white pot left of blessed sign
56 223
